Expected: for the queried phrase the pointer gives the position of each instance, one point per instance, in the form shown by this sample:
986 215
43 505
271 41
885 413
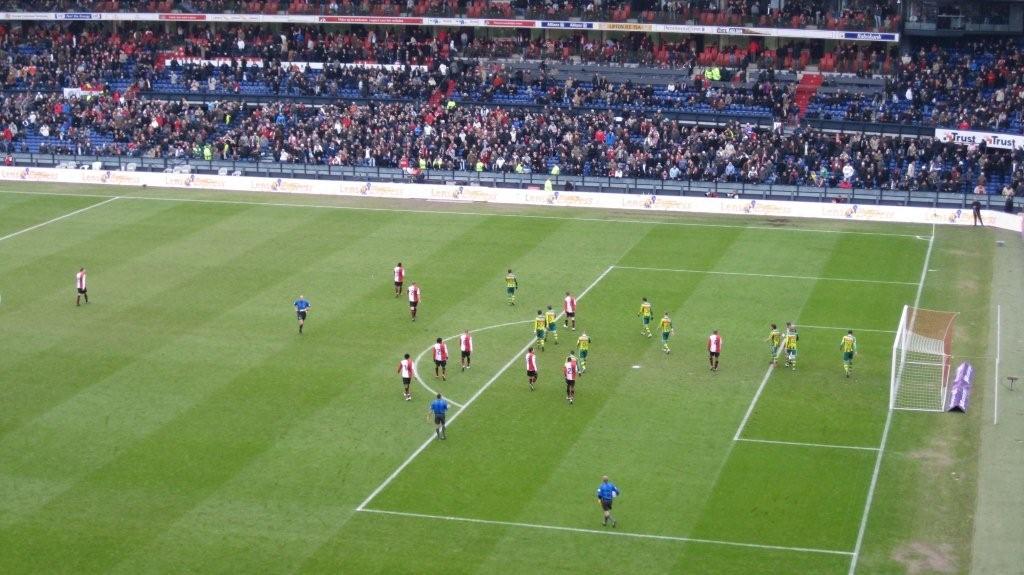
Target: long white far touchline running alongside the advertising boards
484 214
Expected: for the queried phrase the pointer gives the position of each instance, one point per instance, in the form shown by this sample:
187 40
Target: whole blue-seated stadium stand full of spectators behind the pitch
669 108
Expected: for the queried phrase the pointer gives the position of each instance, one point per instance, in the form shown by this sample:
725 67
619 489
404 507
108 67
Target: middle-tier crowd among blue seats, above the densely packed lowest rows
978 85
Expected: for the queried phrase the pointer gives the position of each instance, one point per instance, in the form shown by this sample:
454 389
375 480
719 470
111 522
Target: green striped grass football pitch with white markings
180 423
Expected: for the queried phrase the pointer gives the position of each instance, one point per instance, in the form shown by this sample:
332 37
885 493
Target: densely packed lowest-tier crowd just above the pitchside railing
475 139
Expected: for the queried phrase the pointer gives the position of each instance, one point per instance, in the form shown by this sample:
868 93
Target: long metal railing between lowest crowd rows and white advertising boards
745 191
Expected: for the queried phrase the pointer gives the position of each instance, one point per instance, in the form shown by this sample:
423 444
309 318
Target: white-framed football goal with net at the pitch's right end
922 357
